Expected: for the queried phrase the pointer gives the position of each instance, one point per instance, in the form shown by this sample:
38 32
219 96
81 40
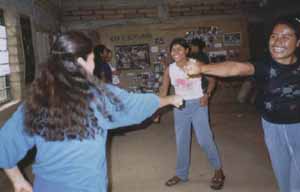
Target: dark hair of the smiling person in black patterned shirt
292 22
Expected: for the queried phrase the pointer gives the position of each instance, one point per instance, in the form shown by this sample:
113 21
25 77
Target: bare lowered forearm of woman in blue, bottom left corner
19 182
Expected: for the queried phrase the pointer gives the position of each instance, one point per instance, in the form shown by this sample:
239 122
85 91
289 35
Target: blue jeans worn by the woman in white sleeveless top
193 114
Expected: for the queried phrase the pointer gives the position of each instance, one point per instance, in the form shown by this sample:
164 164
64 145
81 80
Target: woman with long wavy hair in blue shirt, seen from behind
66 116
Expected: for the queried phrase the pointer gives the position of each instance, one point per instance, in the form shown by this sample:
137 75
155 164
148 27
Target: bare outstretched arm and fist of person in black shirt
223 69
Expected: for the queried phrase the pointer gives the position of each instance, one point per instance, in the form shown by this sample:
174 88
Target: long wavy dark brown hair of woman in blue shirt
58 104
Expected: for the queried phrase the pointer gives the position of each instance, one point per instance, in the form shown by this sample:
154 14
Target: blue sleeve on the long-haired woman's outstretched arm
137 107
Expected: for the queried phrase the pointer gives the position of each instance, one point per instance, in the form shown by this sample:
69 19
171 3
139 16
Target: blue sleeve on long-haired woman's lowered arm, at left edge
14 141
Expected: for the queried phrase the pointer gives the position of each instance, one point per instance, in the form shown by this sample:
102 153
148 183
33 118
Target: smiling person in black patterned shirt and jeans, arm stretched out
278 100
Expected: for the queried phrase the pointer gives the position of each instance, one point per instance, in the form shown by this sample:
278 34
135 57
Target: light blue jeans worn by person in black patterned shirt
283 143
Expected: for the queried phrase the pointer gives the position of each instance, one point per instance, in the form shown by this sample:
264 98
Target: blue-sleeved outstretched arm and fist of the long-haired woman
136 107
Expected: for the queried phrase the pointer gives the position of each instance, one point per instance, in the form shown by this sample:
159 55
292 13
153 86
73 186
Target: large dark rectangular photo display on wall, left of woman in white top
132 56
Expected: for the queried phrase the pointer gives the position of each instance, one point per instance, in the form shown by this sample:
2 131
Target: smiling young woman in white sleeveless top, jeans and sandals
193 114
